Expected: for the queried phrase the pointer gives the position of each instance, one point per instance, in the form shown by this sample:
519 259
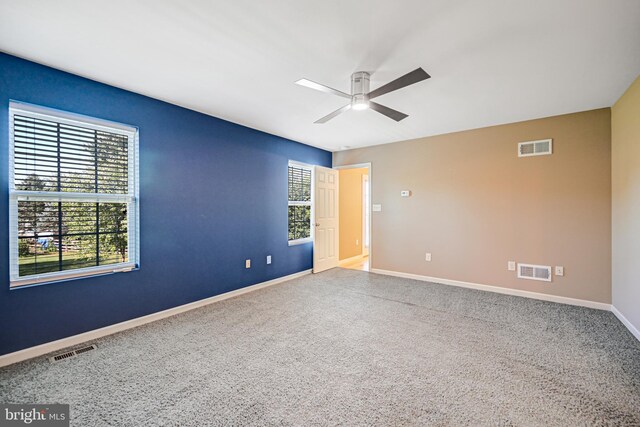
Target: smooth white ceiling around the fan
491 61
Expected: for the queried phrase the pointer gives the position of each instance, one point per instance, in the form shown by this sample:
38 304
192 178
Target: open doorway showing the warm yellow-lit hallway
355 217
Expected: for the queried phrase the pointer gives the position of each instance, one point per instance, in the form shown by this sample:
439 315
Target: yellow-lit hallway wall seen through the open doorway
351 212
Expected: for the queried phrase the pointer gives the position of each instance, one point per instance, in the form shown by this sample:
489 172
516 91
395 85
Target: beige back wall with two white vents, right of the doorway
476 205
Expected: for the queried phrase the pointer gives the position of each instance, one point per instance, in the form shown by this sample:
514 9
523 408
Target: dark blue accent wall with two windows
212 194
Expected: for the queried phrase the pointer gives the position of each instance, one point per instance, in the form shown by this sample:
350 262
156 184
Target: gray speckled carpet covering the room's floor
351 348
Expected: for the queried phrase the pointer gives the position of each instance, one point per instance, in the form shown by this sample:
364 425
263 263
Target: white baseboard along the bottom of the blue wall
39 350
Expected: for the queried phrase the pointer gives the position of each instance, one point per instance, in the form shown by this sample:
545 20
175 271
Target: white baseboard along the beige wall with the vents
498 289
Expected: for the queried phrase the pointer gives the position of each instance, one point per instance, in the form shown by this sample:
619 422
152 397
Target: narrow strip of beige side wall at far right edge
625 128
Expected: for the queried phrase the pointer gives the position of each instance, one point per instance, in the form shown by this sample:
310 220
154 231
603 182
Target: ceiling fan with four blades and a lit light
361 96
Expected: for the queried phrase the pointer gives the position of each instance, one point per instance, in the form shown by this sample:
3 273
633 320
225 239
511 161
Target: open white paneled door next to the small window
325 240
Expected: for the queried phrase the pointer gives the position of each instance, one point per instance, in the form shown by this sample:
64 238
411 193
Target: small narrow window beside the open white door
299 203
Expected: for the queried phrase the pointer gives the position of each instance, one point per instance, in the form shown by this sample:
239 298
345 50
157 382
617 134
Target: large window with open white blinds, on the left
73 194
